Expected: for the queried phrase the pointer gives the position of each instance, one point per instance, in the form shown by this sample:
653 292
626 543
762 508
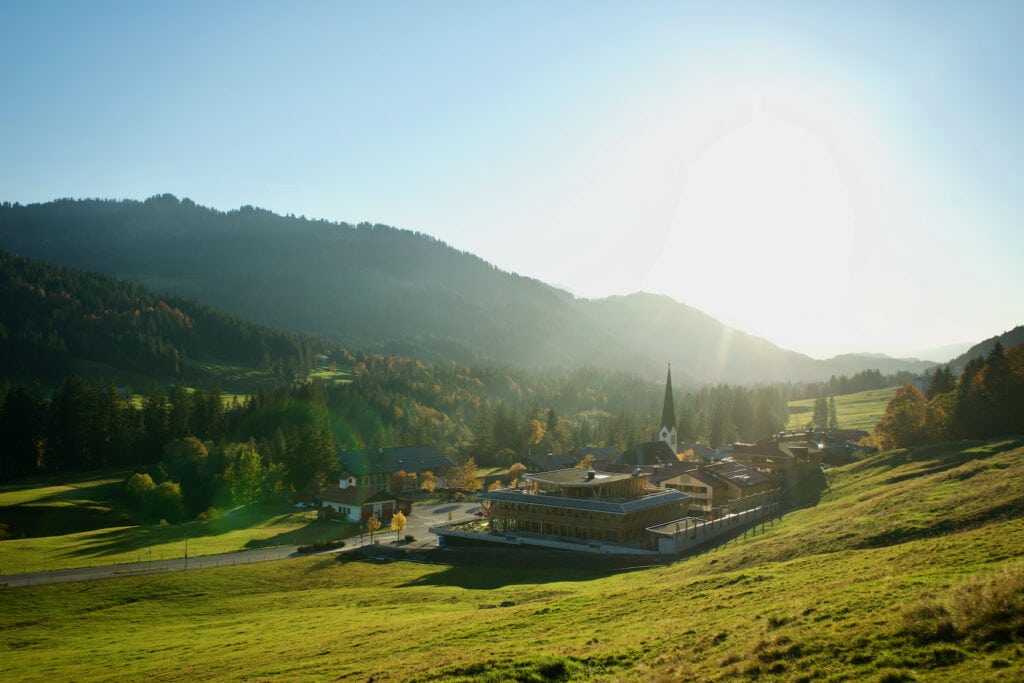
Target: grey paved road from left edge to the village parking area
422 518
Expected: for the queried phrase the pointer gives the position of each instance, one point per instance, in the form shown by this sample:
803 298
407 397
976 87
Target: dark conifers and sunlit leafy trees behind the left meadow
190 452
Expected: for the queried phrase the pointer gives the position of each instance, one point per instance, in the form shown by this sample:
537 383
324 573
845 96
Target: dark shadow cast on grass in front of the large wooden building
489 569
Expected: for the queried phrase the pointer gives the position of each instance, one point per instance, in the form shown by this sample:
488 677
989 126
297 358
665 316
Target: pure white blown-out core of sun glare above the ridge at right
770 198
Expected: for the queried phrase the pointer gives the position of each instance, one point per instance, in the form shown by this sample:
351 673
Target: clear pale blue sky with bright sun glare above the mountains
833 177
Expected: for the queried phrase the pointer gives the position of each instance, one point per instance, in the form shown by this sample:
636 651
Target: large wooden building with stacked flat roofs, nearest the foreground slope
584 506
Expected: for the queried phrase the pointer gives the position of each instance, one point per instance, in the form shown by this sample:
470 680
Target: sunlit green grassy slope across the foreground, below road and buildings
910 569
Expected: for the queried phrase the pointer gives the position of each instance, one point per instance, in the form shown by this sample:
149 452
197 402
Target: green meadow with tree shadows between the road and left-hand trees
45 524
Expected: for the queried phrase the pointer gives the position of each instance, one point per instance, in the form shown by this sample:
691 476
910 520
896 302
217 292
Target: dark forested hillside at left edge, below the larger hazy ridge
54 317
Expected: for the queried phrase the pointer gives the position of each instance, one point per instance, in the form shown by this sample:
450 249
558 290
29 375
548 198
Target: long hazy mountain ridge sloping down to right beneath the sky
395 291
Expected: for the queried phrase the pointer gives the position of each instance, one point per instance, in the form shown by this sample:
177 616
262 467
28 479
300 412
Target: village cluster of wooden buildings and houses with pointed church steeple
662 497
